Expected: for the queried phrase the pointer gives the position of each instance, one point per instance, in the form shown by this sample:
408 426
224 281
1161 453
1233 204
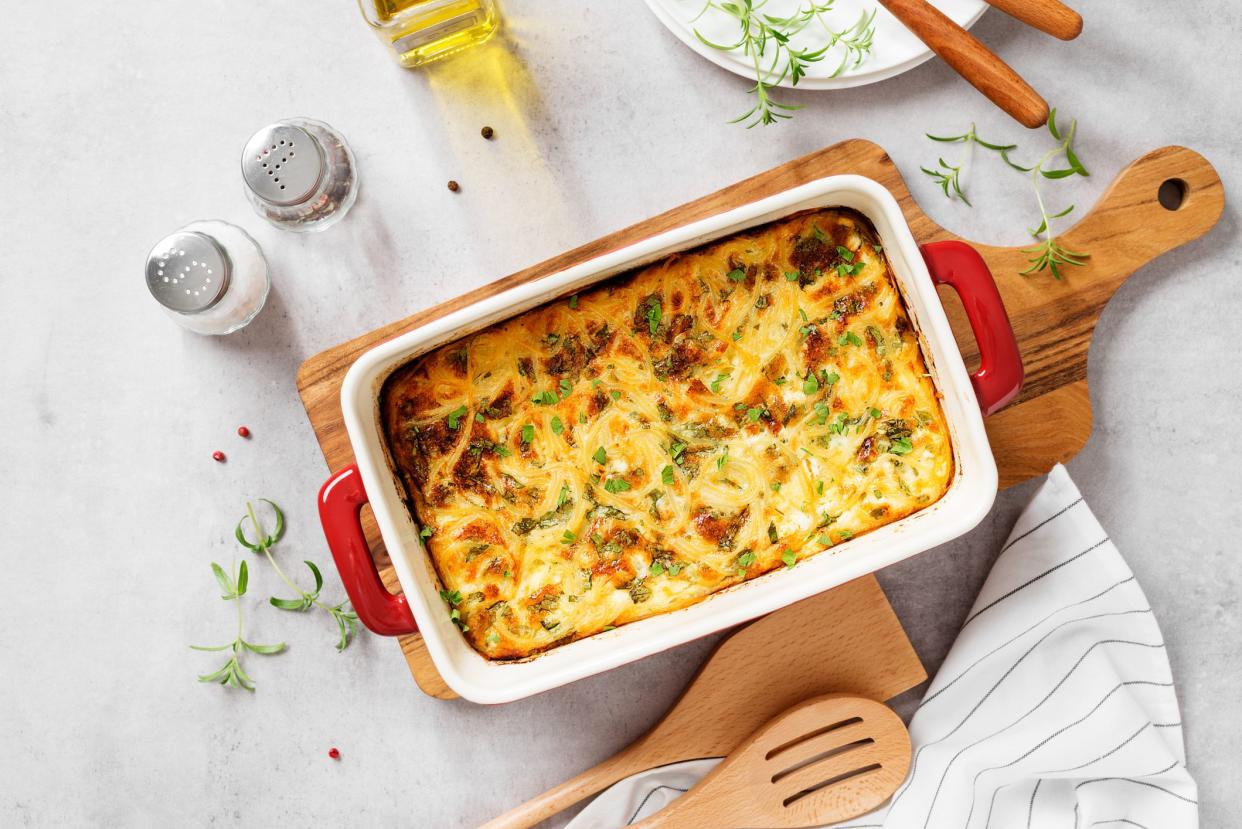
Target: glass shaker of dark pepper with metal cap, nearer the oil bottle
300 175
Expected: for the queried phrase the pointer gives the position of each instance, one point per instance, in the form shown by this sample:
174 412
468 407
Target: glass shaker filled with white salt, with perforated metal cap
211 277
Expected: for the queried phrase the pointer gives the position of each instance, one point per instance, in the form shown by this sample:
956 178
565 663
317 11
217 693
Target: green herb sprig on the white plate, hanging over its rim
758 32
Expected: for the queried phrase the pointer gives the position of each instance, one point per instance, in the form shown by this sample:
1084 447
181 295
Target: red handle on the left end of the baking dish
341 505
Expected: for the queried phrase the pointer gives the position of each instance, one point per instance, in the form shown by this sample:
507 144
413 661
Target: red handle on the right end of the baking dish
1000 372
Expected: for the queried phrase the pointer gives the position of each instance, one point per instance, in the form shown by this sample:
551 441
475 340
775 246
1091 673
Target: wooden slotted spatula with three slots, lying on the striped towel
829 760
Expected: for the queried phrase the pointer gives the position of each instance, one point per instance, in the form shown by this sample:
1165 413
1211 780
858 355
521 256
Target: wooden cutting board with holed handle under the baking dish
1054 321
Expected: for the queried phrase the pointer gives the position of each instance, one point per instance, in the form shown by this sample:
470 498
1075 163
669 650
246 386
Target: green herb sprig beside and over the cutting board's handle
1049 254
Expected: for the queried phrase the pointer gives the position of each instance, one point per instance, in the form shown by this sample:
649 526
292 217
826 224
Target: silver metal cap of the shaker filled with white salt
188 272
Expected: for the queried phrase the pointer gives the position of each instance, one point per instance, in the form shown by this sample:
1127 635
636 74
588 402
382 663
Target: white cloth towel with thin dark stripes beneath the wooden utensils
1054 710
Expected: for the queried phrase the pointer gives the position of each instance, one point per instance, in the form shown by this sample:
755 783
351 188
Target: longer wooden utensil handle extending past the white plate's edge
972 60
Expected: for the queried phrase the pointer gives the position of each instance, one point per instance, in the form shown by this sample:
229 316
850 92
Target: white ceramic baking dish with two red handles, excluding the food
966 400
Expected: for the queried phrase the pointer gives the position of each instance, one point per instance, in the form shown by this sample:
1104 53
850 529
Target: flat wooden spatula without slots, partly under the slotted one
845 641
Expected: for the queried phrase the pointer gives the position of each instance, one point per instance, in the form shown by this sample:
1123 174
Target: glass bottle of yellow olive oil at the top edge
420 32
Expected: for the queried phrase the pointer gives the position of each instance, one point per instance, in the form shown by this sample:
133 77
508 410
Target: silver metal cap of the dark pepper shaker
283 165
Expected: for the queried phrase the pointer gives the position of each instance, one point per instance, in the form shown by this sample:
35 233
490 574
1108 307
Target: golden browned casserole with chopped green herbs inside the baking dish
633 451
